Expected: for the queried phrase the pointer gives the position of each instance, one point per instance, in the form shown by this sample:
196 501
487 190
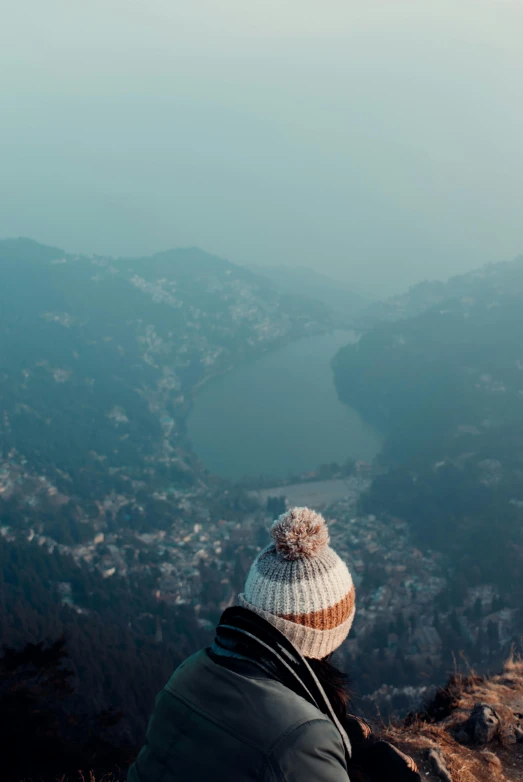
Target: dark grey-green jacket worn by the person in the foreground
249 708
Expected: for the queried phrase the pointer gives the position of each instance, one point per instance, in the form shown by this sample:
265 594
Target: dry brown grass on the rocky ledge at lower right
501 760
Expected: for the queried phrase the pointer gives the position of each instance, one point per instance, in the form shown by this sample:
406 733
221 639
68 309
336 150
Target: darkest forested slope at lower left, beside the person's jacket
82 661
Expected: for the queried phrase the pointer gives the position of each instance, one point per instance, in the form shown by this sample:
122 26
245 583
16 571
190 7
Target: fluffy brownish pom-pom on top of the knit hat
300 533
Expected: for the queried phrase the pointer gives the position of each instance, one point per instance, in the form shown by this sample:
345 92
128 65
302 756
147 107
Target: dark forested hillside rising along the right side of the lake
447 388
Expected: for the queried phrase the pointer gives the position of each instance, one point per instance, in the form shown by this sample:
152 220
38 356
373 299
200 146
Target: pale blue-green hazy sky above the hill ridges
381 142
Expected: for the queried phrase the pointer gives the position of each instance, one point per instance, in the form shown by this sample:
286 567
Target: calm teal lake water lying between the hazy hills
279 415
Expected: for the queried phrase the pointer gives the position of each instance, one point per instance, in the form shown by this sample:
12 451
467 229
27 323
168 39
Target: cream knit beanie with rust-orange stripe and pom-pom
301 586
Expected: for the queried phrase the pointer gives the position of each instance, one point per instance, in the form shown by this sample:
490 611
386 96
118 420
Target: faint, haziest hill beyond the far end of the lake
302 281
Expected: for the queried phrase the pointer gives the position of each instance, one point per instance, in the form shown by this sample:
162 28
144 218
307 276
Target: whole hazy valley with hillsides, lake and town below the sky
155 410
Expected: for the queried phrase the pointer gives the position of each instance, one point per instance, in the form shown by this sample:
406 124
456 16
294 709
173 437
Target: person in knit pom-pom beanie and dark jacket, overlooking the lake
265 702
